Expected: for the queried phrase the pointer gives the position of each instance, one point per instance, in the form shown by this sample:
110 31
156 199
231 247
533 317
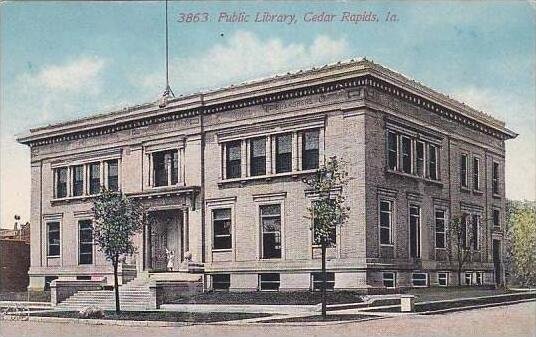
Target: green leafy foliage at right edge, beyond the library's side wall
520 233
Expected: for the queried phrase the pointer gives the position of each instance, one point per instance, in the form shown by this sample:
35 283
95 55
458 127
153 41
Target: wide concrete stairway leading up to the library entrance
134 295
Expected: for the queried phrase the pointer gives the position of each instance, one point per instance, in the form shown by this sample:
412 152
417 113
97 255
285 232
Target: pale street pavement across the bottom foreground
510 320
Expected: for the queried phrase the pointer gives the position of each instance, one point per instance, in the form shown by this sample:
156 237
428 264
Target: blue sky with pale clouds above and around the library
64 60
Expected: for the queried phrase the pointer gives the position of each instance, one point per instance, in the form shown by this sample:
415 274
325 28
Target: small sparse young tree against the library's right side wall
461 242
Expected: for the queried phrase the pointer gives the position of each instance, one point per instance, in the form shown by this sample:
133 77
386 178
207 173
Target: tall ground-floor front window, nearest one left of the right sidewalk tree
271 231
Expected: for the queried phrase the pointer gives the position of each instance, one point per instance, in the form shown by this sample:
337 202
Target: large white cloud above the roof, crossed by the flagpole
244 56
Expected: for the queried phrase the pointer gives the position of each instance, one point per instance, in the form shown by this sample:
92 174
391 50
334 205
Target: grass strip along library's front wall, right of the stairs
281 298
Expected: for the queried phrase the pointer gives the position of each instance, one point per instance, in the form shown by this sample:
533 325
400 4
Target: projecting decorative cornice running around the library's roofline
327 79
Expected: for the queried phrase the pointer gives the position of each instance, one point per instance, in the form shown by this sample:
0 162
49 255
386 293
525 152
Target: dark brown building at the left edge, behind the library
14 258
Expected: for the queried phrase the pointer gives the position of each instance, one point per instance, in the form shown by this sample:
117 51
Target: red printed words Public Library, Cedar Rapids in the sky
238 17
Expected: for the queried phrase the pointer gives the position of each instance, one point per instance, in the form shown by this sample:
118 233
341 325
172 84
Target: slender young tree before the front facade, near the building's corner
327 211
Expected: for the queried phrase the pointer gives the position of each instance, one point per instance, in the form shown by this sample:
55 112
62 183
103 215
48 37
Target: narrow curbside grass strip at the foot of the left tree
166 316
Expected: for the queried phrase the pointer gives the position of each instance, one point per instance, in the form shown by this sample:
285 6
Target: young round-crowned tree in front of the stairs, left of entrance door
117 220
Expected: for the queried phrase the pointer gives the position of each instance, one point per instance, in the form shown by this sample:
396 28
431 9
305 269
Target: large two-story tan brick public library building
221 173
